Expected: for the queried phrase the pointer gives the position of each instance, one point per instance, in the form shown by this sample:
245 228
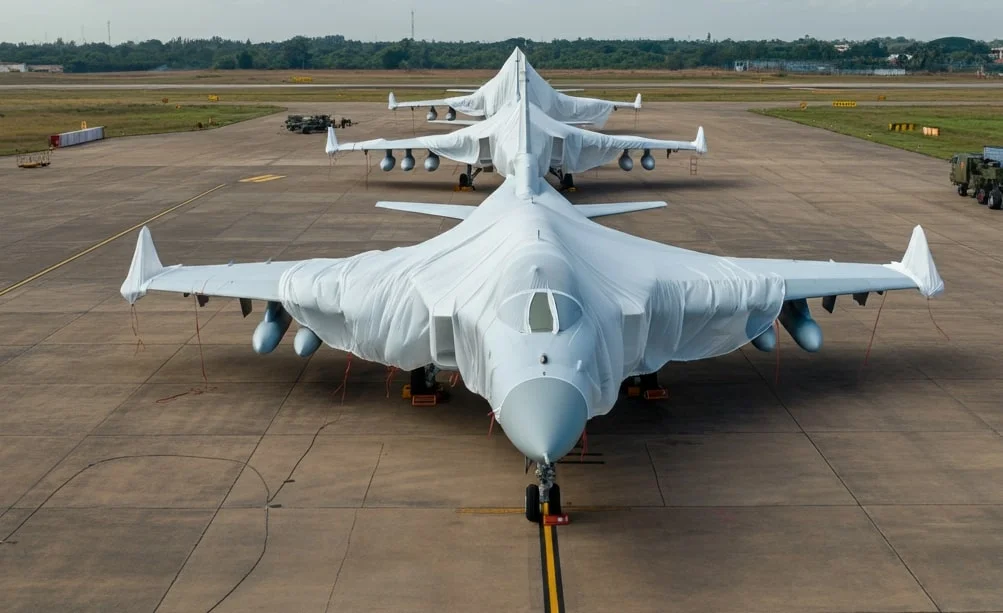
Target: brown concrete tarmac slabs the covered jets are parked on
148 467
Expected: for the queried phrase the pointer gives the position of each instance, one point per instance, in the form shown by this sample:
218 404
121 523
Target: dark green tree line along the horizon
337 52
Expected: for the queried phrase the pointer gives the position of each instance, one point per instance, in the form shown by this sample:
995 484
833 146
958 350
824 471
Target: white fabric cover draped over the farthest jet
503 88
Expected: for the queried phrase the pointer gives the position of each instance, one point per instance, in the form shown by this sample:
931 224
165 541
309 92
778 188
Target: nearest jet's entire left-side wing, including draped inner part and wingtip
362 304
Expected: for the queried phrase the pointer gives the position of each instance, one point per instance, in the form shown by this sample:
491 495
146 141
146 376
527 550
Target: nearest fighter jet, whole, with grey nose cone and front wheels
542 312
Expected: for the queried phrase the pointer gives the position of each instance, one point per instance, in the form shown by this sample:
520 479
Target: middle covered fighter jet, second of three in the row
561 149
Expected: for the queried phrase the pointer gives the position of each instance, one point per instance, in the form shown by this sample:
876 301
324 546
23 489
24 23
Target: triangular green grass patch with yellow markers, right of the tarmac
963 129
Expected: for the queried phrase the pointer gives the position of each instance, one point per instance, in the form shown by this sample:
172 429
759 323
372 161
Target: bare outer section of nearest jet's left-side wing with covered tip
259 281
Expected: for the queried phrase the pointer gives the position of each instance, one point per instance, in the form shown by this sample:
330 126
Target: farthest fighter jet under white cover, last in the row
501 91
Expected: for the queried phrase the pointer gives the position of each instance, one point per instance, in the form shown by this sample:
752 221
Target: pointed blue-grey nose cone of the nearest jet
544 418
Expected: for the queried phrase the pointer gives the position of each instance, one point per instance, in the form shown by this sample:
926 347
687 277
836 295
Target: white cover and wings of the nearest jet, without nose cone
460 299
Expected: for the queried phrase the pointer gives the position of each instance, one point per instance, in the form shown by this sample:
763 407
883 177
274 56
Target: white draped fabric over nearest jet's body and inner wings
677 304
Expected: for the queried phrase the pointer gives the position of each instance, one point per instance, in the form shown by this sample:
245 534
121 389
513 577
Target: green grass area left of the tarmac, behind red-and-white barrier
28 128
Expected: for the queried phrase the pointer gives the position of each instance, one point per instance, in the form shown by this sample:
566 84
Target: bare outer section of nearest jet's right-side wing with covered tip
808 279
